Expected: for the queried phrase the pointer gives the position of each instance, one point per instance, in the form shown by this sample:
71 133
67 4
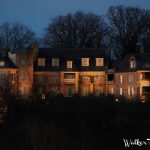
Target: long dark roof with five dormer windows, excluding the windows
70 54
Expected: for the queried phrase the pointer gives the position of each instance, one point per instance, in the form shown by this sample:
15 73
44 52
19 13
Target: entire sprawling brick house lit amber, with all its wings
48 71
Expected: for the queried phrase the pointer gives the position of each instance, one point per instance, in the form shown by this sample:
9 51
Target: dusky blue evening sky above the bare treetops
37 13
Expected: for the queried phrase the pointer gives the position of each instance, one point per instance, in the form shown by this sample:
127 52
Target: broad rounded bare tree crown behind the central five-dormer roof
79 30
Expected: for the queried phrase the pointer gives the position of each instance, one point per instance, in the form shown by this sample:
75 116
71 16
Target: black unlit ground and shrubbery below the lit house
75 124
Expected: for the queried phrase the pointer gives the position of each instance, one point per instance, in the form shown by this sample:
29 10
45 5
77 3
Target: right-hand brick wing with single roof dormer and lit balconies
132 78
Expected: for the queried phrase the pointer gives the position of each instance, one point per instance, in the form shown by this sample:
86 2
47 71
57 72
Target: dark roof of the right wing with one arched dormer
142 62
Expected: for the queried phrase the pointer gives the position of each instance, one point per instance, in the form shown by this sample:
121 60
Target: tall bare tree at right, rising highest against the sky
127 24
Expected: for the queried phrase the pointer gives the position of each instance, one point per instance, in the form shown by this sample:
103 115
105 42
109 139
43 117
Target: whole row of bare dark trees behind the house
123 27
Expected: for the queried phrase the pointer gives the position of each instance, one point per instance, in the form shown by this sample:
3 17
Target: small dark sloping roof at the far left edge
7 62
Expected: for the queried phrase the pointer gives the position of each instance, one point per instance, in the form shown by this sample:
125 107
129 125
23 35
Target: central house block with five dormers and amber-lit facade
70 71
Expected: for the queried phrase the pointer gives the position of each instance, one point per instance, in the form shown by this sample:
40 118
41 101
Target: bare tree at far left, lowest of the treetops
16 36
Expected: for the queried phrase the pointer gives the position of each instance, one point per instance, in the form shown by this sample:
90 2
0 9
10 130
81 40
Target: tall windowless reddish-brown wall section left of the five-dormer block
24 63
